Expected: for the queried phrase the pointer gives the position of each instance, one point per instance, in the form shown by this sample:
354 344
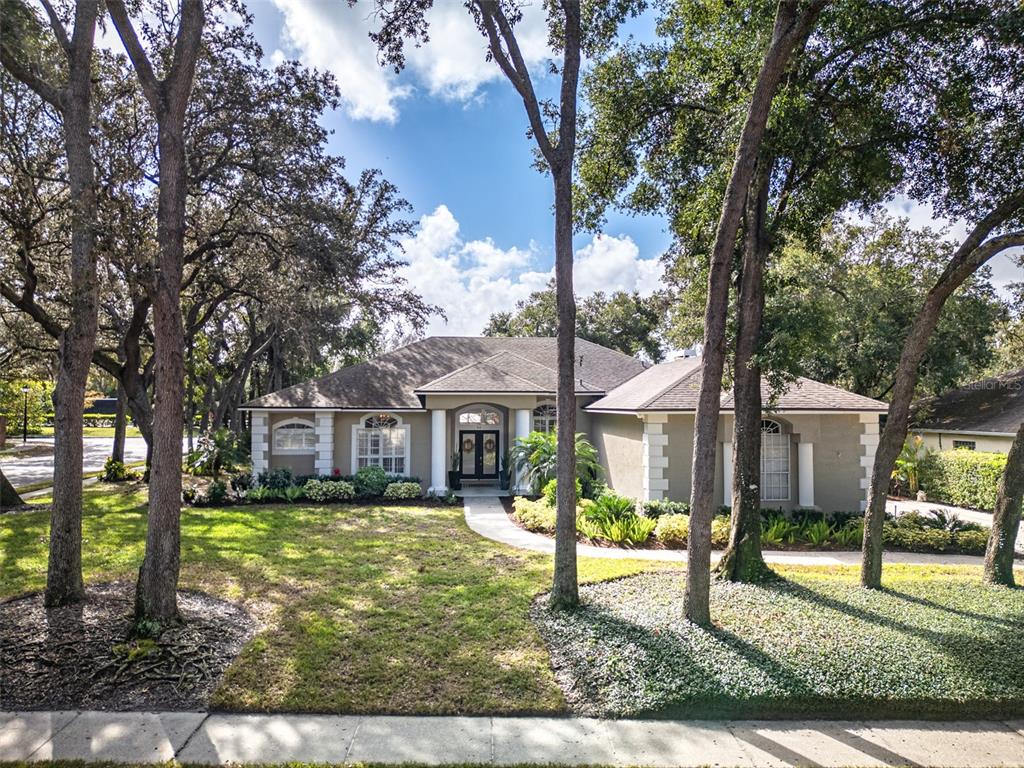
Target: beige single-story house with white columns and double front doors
464 400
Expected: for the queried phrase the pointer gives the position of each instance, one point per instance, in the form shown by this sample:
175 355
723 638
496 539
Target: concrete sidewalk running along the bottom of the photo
215 740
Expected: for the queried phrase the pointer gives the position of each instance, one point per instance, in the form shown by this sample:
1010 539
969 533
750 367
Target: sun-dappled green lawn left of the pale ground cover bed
366 610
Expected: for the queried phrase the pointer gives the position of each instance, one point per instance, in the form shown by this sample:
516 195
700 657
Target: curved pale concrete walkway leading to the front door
487 517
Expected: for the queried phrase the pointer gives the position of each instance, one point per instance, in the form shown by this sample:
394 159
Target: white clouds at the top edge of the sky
331 35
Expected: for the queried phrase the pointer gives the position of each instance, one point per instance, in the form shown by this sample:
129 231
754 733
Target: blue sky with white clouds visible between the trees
450 133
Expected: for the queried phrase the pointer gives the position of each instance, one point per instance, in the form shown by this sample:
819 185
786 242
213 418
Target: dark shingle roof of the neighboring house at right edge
995 405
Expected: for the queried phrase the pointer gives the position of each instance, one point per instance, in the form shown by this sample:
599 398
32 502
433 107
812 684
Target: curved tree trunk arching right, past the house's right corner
971 255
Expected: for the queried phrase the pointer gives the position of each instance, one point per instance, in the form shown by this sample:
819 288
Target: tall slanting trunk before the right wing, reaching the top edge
791 27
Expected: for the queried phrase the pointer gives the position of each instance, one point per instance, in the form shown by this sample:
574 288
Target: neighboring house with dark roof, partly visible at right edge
983 416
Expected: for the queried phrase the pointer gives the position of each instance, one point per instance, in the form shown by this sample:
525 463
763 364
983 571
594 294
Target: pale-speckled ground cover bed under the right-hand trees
934 644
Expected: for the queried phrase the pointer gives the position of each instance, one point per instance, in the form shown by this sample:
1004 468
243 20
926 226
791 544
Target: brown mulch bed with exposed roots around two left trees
80 658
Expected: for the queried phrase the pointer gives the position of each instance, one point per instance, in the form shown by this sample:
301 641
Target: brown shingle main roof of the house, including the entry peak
441 363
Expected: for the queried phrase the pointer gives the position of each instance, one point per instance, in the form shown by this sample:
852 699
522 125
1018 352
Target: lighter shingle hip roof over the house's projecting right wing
676 386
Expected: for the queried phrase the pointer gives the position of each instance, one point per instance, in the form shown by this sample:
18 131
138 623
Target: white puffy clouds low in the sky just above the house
476 279
